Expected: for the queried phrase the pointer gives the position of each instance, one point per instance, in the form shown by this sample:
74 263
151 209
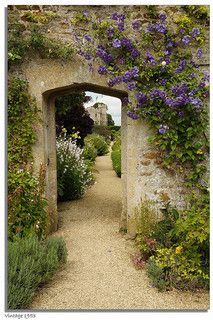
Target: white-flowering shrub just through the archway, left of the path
73 175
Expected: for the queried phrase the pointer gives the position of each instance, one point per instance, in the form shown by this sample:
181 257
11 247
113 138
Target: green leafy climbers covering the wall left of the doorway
26 204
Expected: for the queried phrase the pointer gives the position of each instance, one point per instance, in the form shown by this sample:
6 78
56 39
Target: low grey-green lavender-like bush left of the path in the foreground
31 263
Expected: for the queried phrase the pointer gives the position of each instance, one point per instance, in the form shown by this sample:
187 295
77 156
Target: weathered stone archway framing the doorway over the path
48 79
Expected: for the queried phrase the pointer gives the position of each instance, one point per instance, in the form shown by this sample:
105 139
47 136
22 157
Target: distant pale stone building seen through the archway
98 113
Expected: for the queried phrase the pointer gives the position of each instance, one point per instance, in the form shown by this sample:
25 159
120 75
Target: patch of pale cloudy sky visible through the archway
113 104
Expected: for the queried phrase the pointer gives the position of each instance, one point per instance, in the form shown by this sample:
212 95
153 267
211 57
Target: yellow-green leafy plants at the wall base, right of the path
182 253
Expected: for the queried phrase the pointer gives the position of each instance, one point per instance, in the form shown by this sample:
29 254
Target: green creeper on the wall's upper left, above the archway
22 42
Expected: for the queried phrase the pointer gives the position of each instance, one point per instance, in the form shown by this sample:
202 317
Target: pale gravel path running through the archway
99 273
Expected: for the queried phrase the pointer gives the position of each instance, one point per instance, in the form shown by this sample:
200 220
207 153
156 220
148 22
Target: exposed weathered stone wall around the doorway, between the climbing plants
142 175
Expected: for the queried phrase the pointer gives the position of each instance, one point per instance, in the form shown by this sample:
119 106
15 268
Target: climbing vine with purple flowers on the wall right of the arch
159 63
